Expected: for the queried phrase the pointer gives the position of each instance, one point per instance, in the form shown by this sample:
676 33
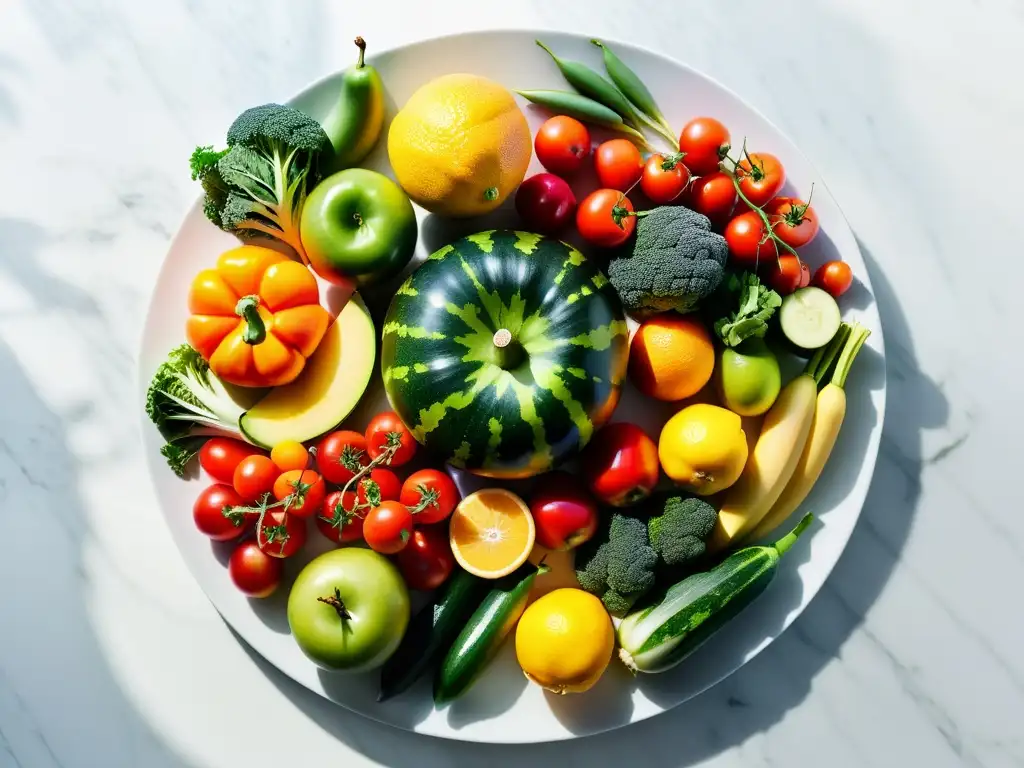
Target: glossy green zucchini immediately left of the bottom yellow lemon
484 634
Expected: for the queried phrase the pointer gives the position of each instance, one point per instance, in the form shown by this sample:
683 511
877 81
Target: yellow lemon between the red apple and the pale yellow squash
704 449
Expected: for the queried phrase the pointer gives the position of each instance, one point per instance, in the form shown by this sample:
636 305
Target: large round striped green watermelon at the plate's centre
504 353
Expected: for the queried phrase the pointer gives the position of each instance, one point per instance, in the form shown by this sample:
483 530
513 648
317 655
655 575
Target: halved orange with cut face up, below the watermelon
492 533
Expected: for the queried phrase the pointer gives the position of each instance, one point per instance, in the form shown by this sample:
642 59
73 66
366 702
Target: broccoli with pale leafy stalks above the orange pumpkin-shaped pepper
257 188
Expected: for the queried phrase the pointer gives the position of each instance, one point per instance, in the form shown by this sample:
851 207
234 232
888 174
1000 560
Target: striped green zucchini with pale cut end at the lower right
666 630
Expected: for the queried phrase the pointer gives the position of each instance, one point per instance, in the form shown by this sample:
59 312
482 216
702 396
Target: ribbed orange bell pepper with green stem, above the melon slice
257 317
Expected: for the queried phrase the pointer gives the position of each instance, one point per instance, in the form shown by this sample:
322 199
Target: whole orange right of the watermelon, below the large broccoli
671 358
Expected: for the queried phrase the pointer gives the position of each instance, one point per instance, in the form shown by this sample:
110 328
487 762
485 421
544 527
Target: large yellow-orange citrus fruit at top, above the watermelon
460 146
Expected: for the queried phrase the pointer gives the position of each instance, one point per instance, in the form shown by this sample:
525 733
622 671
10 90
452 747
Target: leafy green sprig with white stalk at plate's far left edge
189 404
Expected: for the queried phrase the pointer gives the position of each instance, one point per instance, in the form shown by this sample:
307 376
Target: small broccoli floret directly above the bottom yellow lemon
618 565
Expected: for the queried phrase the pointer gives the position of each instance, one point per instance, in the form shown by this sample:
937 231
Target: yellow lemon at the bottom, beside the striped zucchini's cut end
565 642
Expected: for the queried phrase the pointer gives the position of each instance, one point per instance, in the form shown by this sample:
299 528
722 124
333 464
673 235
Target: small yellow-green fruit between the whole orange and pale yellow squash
748 378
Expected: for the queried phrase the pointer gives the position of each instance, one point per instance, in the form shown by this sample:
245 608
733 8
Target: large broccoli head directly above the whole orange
675 262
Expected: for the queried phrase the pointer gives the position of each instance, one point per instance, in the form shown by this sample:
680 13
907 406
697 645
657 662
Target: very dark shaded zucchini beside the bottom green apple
432 631
